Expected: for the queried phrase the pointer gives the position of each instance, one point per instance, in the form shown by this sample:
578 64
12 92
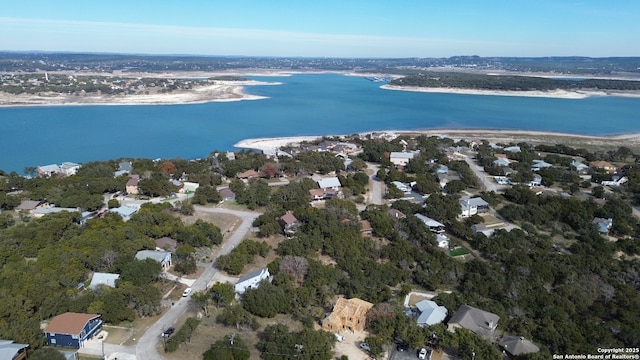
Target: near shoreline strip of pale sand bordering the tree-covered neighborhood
270 144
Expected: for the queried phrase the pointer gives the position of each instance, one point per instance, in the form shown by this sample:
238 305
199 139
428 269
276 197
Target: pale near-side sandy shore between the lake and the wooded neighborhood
498 135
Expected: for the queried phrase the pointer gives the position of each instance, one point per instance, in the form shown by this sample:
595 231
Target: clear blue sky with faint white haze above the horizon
346 28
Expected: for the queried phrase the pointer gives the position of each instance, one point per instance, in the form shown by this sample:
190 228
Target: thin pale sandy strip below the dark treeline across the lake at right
559 94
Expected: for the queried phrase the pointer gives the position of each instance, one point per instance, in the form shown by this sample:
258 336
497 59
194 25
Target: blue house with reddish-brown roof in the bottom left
72 329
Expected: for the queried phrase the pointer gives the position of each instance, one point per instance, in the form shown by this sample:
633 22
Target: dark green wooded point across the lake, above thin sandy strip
510 83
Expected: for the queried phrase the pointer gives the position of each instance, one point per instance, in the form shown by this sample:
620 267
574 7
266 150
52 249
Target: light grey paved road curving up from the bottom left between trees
146 346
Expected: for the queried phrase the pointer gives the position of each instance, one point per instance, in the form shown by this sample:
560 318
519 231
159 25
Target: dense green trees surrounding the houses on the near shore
554 279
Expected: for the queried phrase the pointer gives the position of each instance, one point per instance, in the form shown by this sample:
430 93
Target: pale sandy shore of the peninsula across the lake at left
221 91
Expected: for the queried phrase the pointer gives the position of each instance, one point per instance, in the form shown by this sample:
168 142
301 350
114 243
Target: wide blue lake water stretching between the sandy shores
303 105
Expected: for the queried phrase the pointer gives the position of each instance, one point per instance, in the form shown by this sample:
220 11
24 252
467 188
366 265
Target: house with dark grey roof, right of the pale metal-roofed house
480 322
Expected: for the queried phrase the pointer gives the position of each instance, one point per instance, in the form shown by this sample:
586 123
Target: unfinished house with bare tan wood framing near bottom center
347 314
